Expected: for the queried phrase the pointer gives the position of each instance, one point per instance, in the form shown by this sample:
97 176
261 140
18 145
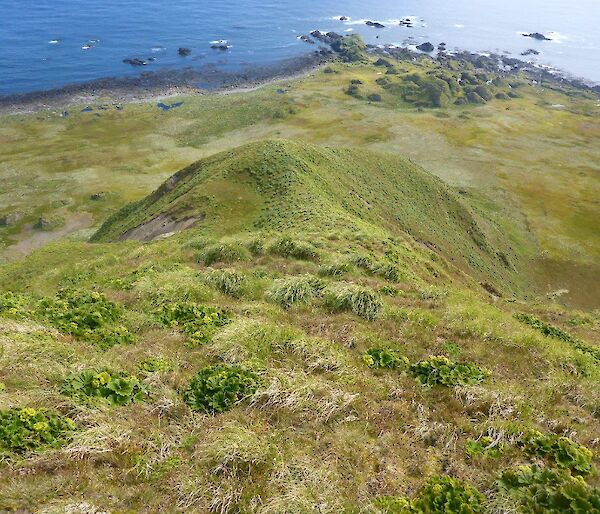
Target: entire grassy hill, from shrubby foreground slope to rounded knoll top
294 348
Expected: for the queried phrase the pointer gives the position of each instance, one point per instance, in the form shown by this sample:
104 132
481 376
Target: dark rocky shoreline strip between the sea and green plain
158 85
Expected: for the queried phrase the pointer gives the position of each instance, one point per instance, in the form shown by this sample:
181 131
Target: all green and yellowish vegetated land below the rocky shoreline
321 275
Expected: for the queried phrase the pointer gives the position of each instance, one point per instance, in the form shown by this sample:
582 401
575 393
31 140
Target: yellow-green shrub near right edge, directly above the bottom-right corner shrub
561 450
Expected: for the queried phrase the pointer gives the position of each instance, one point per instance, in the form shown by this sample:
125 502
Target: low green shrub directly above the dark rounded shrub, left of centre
198 322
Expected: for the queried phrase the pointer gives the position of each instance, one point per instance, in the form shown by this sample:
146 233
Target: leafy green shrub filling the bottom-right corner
548 491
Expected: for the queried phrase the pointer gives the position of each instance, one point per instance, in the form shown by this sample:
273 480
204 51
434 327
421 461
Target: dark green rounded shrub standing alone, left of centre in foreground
219 388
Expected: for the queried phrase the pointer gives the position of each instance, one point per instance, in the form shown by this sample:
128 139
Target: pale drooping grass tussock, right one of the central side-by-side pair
363 301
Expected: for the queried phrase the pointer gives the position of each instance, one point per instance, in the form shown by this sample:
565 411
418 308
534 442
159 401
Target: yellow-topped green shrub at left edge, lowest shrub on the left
28 429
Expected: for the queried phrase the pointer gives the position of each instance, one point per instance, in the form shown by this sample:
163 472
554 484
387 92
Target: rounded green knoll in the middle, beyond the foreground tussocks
278 185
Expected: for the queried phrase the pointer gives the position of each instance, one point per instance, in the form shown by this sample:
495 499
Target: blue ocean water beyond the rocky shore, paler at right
50 43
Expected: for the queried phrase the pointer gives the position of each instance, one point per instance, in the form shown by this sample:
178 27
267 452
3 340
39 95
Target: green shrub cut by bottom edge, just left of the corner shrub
448 495
